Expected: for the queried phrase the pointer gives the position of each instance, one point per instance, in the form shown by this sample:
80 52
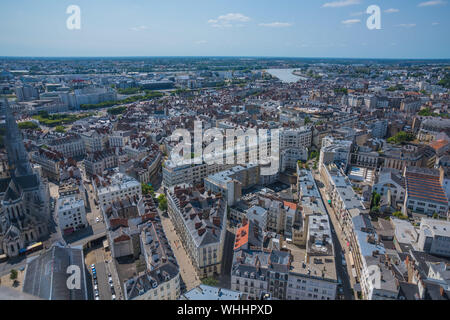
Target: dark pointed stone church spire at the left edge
19 164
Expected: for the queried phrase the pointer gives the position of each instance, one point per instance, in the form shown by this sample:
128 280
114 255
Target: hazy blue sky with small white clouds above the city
270 28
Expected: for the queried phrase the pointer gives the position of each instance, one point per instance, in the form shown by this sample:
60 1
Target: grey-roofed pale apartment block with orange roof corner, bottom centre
280 269
